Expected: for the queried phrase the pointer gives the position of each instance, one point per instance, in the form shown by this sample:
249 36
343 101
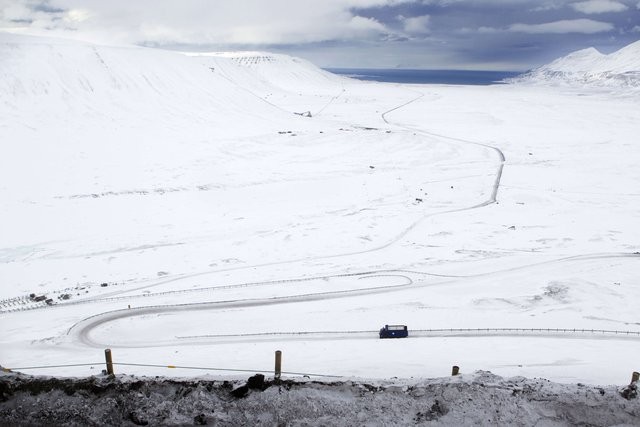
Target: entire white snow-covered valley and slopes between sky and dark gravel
182 210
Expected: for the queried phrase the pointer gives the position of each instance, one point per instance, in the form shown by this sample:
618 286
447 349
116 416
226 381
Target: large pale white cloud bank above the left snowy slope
224 22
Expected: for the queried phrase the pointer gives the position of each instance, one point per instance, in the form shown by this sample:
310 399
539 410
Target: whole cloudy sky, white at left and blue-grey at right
431 34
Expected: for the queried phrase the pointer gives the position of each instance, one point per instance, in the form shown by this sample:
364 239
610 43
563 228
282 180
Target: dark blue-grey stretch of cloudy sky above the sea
516 34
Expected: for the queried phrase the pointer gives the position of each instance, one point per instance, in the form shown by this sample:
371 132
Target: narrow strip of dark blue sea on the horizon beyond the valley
451 77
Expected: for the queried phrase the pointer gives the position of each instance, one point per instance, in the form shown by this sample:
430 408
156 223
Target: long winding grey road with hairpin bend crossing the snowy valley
81 332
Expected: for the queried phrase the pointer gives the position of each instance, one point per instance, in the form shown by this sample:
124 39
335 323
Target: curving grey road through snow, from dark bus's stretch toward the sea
82 330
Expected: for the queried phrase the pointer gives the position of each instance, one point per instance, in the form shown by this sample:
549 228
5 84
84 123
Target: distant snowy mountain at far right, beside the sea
589 66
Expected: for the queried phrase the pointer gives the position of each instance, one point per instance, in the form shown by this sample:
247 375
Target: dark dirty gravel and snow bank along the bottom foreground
477 399
